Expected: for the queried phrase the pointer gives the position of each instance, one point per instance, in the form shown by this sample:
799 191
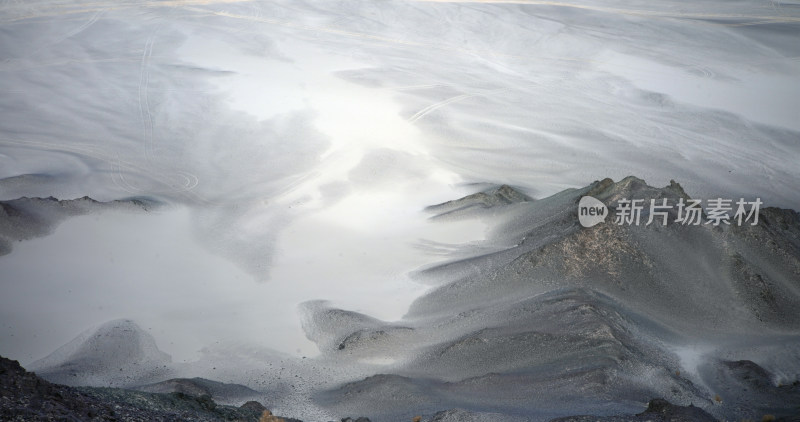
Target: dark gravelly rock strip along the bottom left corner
26 397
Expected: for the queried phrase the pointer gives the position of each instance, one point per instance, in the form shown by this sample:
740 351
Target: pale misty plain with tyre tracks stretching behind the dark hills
298 142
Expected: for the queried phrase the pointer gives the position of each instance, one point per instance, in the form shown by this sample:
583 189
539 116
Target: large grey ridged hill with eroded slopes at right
599 320
